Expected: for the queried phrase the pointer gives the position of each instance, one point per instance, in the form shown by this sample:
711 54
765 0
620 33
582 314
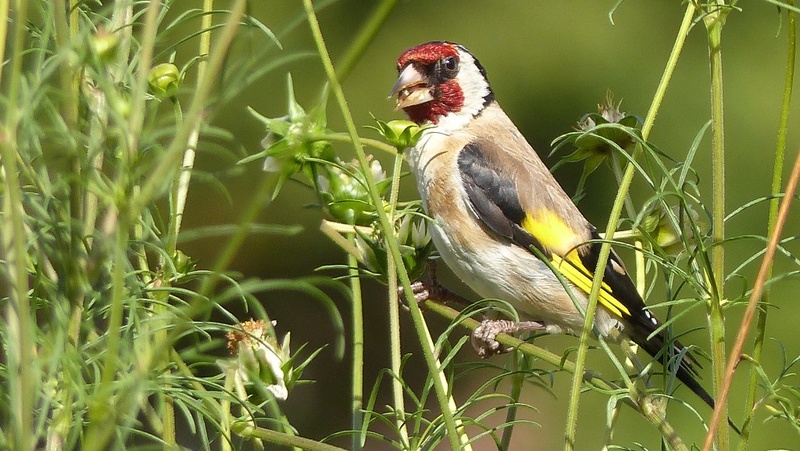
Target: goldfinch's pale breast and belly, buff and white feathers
490 265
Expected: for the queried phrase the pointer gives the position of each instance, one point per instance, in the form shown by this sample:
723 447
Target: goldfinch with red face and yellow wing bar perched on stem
497 212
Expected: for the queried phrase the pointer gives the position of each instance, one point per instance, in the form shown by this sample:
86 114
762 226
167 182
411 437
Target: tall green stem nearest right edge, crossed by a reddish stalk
777 182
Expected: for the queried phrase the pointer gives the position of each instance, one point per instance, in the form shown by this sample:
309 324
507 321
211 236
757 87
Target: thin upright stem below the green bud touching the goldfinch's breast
394 314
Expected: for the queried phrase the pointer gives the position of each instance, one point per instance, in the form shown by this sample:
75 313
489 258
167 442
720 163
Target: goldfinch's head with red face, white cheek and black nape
441 83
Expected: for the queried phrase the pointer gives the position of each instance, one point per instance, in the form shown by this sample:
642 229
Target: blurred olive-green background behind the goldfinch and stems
549 63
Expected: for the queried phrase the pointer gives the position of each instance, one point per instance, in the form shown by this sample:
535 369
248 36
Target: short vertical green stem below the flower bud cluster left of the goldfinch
358 344
